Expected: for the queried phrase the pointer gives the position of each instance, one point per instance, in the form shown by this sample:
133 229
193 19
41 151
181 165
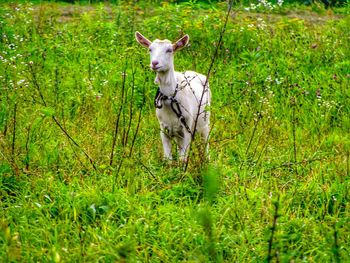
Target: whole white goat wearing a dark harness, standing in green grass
182 98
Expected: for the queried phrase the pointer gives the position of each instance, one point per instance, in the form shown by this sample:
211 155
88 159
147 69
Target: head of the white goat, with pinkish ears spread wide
162 51
